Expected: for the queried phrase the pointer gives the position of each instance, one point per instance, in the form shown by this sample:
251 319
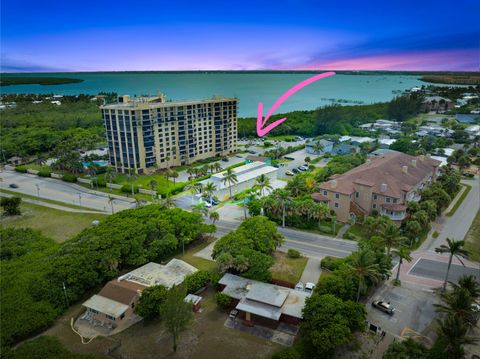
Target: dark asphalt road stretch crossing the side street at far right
437 270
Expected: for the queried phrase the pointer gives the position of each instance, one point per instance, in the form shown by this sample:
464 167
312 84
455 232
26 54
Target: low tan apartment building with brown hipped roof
385 184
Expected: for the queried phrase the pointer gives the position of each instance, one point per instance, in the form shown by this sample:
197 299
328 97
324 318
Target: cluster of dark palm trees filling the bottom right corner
459 315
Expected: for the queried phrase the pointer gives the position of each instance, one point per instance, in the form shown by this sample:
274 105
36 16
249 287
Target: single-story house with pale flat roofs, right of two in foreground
265 302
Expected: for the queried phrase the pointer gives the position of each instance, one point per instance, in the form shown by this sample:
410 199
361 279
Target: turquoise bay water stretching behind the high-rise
249 88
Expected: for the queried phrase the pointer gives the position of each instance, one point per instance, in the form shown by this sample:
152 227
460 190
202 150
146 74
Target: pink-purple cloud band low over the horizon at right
438 60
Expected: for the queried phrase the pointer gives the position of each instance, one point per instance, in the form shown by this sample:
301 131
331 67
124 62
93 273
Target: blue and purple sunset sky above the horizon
239 35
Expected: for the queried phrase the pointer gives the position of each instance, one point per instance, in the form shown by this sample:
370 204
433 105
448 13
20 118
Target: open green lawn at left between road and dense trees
59 225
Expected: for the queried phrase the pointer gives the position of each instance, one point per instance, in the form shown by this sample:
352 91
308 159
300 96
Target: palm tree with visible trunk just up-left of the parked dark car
363 268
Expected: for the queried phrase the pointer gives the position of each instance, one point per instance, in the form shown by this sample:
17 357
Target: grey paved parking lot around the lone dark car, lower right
413 308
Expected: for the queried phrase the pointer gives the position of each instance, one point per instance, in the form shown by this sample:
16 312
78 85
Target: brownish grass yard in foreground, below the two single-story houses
207 337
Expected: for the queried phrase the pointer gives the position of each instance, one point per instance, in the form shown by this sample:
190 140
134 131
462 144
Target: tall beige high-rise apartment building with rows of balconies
149 132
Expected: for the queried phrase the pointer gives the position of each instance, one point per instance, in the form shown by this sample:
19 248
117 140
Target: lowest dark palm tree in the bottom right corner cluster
454 332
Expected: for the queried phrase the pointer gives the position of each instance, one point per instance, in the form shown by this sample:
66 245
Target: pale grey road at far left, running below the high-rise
57 190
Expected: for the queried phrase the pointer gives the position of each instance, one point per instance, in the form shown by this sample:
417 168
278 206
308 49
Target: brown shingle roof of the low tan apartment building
386 169
